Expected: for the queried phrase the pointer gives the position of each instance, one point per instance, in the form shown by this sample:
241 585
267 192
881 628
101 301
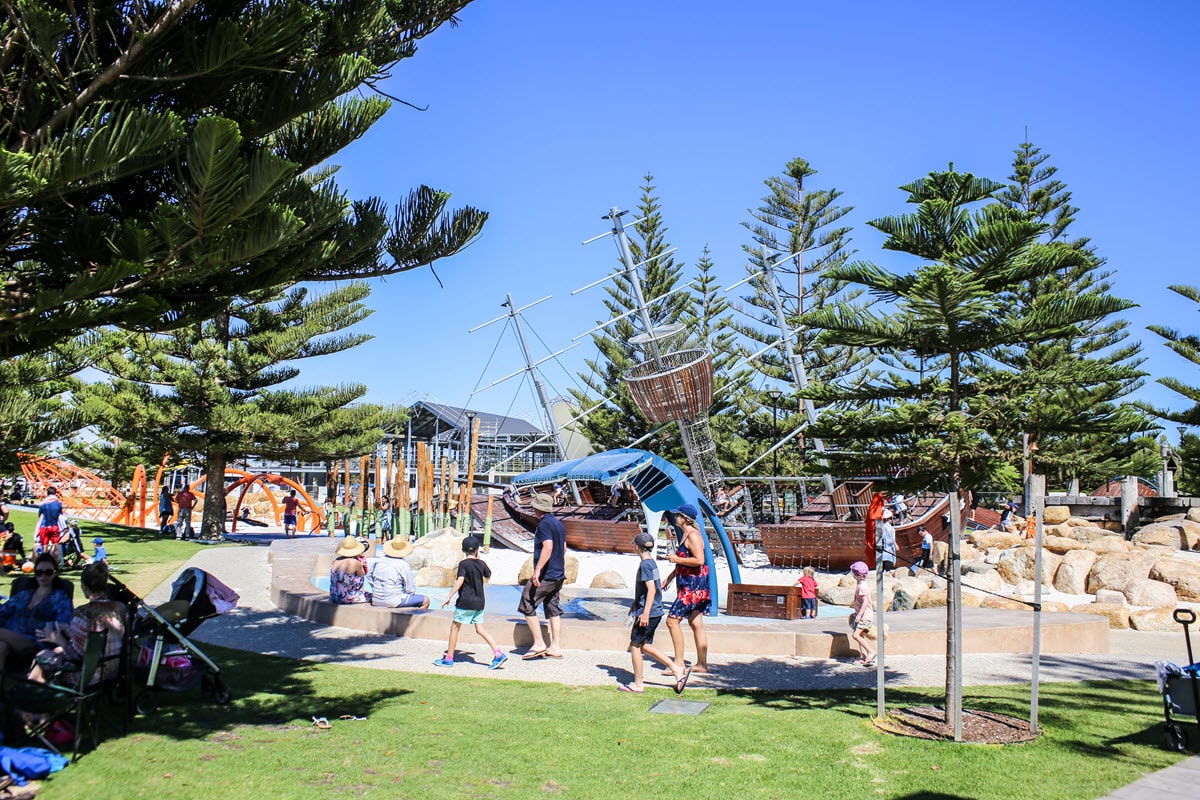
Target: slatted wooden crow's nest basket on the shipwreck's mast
675 387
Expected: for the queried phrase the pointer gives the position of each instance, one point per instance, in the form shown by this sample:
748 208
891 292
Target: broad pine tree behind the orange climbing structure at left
224 389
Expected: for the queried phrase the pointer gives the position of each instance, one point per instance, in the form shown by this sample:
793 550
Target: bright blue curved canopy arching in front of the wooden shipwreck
661 486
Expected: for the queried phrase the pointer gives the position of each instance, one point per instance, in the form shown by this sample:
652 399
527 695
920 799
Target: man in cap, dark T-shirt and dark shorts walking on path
549 575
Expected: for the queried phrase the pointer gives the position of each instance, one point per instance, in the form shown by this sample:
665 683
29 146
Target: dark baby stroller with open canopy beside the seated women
166 659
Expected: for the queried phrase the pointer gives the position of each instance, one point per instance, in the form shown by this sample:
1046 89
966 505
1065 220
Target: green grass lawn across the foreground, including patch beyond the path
469 737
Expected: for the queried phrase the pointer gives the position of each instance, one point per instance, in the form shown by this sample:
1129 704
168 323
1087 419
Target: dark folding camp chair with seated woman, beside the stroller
44 705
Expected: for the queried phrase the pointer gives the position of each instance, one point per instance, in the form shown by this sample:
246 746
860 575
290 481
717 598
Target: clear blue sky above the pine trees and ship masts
548 113
